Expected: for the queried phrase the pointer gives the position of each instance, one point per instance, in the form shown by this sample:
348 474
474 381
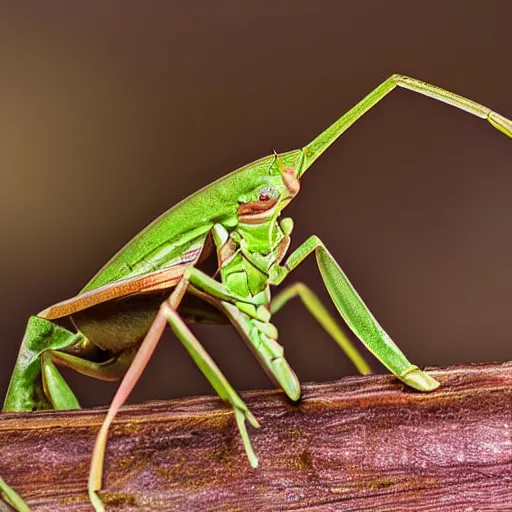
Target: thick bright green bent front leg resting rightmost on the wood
355 313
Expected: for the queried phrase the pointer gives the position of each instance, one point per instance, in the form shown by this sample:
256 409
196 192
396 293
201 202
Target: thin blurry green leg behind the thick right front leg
324 318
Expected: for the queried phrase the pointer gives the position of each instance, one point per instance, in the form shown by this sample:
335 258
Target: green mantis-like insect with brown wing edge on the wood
161 277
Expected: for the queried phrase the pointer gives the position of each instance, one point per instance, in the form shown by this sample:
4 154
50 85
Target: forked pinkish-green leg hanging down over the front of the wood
167 313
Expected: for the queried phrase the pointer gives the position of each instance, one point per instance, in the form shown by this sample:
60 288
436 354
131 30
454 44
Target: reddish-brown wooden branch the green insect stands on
358 444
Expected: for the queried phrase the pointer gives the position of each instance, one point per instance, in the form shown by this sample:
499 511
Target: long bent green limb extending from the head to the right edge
314 149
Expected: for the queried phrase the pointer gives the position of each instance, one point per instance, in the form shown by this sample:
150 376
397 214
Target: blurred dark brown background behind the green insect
112 112
